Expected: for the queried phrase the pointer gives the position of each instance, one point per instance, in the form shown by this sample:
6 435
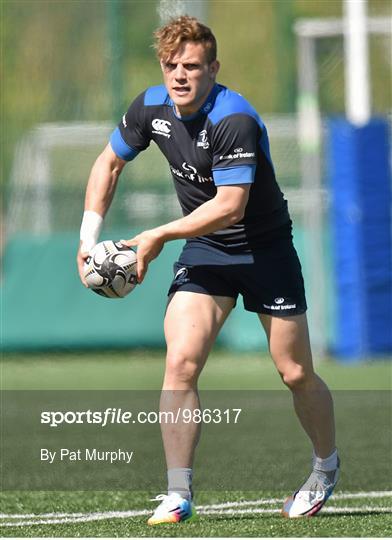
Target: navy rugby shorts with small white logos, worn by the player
268 278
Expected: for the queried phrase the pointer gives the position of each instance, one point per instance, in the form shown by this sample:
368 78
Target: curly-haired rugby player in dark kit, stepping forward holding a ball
238 236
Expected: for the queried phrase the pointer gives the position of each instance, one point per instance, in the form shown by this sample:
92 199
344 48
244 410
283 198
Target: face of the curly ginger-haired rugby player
188 77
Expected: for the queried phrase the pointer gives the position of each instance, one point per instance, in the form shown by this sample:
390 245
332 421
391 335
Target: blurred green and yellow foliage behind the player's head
57 57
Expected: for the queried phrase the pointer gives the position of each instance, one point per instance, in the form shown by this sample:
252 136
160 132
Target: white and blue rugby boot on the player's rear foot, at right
312 496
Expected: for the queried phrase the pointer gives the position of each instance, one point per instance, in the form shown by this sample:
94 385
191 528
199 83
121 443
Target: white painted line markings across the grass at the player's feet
228 508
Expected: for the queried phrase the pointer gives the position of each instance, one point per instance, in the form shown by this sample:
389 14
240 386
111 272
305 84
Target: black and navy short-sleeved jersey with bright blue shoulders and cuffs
224 143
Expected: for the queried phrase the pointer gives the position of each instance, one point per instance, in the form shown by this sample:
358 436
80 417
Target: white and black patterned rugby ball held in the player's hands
110 269
